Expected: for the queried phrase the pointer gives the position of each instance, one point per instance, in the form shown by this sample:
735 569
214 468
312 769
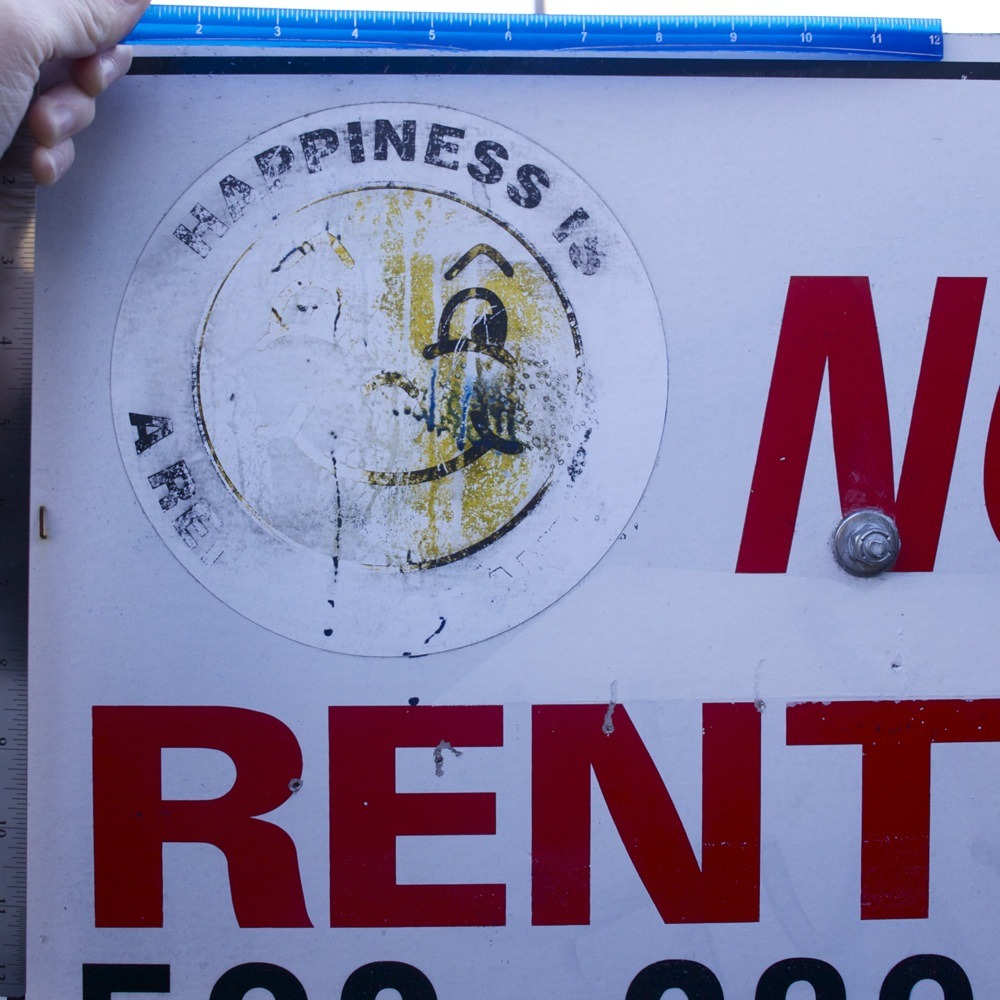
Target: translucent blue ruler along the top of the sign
186 24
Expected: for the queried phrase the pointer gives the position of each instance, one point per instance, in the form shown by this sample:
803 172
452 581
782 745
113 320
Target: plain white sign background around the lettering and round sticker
732 186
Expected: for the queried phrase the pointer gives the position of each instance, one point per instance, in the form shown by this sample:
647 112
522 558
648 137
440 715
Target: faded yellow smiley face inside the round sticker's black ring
390 376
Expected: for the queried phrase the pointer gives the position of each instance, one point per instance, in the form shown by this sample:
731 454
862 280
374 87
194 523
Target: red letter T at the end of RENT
895 739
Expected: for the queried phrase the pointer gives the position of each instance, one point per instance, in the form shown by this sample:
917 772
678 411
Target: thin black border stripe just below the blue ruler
458 65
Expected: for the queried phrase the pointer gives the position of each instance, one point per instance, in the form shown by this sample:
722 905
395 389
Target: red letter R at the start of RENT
132 822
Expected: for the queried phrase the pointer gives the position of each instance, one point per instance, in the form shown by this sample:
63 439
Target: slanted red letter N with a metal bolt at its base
830 322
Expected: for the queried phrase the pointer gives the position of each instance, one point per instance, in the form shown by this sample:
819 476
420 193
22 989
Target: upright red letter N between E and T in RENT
568 740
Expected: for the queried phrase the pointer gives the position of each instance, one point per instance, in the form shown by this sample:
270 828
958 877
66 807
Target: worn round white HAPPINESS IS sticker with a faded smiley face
389 379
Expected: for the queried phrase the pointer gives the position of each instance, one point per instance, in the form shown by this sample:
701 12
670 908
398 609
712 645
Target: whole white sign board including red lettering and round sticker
397 629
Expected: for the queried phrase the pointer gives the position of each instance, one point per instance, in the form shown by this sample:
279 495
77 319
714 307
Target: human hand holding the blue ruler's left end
34 32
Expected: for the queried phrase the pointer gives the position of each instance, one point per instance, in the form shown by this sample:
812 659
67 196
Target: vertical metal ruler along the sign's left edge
17 256
